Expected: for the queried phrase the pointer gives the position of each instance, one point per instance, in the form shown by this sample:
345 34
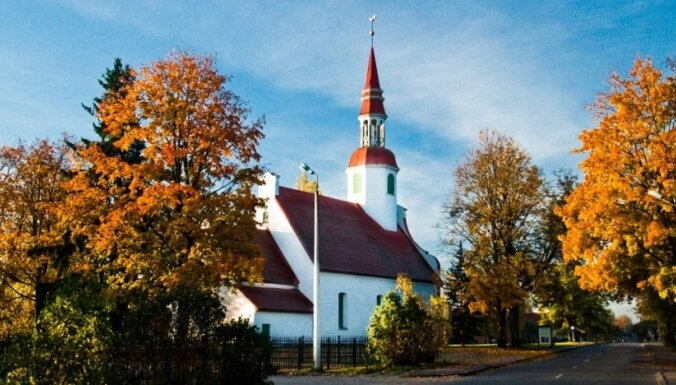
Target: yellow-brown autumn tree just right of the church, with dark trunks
495 209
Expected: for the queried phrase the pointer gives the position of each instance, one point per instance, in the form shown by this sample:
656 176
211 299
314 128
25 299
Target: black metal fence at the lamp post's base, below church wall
296 352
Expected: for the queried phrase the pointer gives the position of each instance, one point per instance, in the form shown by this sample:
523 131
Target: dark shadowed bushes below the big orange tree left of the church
182 340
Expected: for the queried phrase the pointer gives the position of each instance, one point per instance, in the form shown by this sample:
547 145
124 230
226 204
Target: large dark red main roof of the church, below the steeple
350 241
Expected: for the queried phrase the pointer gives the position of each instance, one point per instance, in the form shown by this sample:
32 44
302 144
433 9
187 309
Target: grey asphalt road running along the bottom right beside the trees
616 364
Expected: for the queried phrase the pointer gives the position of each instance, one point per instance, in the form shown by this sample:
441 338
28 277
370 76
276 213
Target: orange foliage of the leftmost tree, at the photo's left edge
33 255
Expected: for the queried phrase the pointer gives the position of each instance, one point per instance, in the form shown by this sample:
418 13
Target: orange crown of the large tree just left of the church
183 214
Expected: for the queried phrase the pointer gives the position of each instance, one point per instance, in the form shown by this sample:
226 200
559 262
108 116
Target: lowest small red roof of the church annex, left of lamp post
277 300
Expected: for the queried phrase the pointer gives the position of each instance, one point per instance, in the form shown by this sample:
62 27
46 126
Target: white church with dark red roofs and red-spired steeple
364 243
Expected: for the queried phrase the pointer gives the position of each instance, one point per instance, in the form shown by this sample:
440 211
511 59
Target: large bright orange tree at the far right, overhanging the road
621 218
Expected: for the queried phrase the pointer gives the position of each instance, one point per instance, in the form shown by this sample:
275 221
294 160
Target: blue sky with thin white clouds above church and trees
526 69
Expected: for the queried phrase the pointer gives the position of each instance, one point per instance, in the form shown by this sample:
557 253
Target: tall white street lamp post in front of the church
316 338
